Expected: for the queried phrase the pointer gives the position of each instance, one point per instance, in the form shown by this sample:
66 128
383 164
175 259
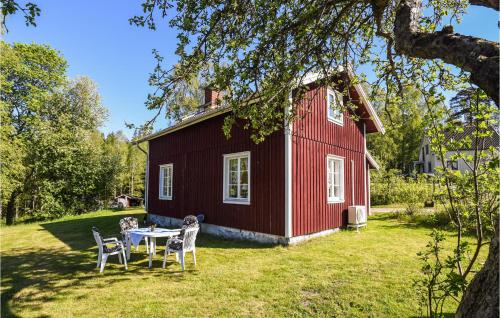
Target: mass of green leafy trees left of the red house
54 159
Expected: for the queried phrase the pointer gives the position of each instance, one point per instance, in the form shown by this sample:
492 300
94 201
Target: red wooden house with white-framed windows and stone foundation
296 184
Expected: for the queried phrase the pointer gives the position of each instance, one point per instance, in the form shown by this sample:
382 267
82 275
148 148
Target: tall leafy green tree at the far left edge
29 75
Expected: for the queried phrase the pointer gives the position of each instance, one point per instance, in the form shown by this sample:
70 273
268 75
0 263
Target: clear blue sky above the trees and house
97 40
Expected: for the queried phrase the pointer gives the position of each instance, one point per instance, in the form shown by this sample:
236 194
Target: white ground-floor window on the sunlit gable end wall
335 178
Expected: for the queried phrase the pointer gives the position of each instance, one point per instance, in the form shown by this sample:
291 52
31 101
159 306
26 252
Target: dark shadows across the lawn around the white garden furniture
35 275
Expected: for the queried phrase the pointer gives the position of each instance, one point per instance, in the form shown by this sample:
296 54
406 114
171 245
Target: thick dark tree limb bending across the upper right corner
478 56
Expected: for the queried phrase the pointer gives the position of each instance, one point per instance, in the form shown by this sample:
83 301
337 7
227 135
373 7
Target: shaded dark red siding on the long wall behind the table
197 156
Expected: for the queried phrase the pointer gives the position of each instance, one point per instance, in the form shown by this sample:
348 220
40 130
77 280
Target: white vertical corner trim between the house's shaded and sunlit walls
288 169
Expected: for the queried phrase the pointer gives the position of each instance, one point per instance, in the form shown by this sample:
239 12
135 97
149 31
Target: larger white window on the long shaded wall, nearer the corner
237 178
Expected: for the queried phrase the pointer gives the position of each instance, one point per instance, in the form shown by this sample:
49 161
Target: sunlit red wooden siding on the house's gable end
314 137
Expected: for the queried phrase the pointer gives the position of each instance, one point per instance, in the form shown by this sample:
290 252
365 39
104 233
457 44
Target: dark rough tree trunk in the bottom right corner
481 299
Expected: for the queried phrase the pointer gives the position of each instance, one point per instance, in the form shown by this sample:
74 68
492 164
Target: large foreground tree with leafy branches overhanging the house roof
262 50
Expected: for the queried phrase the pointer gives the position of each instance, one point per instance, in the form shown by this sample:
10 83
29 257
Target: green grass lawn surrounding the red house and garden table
48 270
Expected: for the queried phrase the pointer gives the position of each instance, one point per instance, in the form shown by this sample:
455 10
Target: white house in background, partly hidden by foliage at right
428 161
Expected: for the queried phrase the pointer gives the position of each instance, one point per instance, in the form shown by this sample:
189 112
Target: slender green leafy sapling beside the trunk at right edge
470 198
